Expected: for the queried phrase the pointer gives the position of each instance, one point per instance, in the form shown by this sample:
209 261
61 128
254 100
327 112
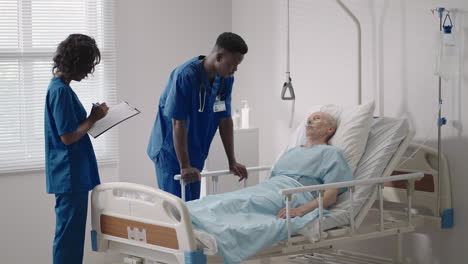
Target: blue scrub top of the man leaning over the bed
181 99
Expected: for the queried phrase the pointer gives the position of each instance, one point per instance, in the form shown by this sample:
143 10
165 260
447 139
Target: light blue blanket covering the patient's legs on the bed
244 222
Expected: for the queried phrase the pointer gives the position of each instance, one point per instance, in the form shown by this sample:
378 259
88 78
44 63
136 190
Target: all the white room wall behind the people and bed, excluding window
153 37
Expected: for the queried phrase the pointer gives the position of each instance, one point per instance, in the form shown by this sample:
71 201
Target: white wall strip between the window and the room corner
154 37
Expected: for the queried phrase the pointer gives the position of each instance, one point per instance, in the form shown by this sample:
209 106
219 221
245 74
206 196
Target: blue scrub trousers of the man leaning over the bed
167 183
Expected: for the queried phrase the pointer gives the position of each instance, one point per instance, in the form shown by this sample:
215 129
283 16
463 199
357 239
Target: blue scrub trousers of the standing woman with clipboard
70 210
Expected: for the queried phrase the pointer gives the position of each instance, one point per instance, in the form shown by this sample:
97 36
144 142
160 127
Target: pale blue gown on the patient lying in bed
320 164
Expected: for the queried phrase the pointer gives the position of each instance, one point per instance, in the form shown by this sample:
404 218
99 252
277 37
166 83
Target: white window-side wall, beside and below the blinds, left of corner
153 37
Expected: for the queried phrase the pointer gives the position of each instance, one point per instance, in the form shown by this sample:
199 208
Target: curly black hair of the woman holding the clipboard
77 54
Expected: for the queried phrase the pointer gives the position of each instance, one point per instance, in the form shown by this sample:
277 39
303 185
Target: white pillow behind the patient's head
353 126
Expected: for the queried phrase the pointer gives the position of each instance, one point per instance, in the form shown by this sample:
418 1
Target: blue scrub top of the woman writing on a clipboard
71 168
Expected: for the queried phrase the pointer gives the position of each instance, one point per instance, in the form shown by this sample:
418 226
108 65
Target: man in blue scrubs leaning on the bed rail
195 102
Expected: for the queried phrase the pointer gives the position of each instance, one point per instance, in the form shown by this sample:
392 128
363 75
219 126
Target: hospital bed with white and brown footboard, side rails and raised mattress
137 220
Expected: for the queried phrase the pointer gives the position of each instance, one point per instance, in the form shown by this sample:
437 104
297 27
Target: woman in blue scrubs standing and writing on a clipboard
71 167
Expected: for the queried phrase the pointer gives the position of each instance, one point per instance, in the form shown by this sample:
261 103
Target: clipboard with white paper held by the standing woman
116 115
